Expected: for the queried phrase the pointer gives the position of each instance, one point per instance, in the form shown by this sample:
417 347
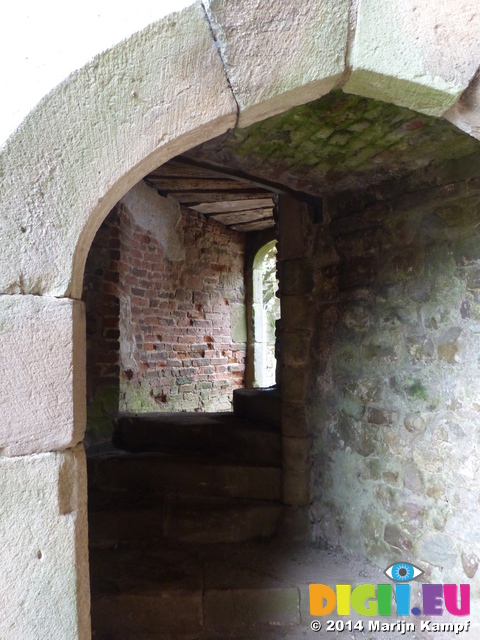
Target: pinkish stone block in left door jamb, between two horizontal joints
42 361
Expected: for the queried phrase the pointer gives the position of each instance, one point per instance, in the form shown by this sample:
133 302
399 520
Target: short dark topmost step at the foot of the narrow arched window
258 405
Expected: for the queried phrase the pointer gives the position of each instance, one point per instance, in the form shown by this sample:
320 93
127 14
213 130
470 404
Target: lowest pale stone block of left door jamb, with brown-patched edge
43 557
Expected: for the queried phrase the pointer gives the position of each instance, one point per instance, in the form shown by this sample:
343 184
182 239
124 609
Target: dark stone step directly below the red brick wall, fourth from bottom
218 434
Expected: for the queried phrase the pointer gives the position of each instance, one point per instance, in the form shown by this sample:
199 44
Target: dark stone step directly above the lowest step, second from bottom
119 516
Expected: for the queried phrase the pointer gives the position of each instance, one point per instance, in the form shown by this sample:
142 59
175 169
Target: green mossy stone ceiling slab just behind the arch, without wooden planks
338 142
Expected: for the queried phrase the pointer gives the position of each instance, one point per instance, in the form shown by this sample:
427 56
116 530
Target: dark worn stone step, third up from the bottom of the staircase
195 475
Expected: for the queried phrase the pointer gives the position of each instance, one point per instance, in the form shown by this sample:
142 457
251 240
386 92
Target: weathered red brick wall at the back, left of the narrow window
180 341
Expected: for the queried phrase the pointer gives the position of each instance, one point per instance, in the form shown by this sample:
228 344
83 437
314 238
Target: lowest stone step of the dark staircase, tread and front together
189 591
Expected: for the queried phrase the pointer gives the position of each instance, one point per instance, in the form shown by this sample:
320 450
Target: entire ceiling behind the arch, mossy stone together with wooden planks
338 143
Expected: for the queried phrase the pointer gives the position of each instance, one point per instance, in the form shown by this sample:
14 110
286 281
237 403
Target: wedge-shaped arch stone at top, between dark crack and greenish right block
278 55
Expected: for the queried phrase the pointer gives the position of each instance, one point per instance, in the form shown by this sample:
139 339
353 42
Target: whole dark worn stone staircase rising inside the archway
175 510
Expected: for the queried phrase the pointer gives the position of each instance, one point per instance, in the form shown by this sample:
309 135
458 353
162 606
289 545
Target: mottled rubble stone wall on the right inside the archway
393 400
